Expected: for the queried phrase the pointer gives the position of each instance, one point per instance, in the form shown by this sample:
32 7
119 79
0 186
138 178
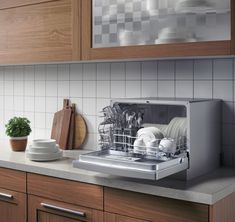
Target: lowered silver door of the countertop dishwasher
131 165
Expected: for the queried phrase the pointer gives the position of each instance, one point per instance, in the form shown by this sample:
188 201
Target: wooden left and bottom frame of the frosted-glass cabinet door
145 51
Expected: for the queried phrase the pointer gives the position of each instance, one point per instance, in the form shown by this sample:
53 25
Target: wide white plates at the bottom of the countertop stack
44 157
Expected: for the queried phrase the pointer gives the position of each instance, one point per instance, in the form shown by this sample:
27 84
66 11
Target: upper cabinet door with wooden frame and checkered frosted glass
143 29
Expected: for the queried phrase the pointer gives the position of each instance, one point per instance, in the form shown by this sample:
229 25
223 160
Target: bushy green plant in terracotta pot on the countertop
18 129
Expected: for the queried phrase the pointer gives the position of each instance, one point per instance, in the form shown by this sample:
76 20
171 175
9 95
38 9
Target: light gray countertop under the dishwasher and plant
207 189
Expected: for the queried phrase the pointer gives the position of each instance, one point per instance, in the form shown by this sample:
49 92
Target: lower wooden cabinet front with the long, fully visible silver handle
45 210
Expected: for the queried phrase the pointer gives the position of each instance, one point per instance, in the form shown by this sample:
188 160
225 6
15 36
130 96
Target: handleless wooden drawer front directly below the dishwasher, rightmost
153 208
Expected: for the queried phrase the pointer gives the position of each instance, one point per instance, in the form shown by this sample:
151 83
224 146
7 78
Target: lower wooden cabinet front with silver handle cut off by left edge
12 206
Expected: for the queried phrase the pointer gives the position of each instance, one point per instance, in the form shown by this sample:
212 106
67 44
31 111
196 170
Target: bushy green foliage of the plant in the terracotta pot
18 127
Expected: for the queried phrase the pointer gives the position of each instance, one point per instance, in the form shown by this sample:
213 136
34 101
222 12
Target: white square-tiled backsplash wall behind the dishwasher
37 91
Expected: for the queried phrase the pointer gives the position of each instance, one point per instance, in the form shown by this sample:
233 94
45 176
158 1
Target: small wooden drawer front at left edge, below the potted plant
13 180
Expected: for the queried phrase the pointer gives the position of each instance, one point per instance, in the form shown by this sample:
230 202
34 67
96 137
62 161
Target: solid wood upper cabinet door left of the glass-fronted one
39 31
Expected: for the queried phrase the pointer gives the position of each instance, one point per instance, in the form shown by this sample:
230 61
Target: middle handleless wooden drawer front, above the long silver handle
66 191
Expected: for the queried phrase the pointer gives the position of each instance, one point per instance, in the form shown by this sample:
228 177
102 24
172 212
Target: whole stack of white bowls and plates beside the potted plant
43 150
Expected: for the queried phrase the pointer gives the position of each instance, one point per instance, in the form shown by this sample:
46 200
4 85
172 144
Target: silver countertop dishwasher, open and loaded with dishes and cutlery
152 138
